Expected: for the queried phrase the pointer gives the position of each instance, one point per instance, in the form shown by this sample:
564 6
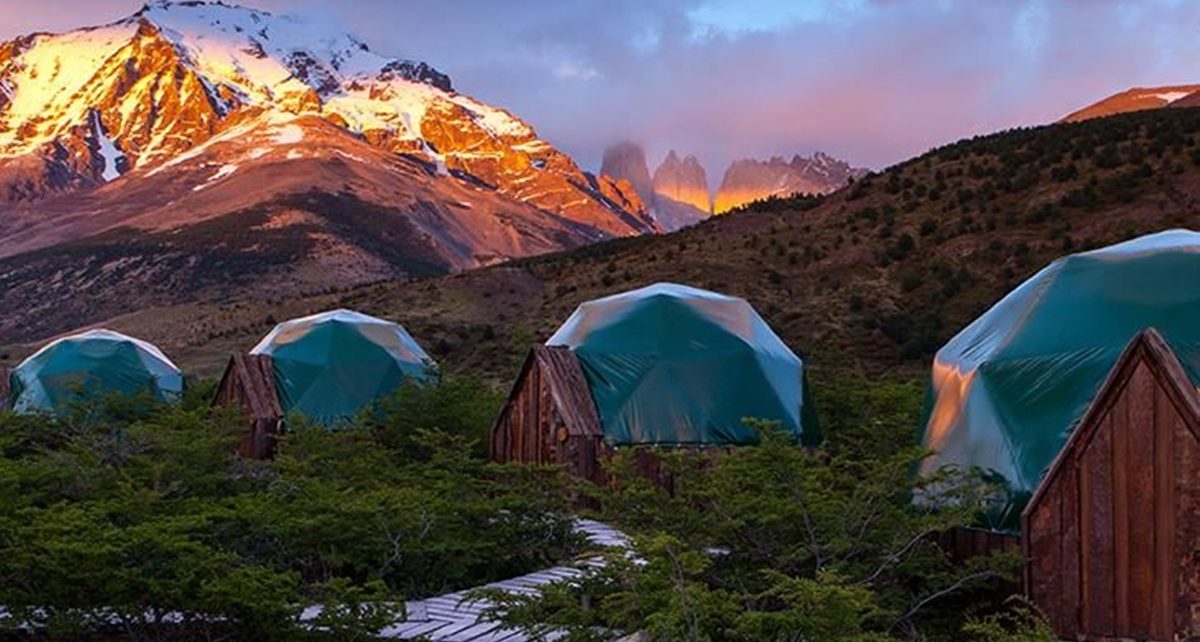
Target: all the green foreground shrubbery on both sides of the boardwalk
130 519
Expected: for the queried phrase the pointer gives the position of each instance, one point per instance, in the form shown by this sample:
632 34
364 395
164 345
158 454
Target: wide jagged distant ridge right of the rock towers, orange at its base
748 181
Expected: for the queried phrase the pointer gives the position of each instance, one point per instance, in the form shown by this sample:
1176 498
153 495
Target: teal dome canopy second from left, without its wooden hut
331 367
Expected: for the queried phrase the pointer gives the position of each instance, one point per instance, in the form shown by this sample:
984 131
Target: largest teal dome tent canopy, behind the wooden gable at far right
1009 391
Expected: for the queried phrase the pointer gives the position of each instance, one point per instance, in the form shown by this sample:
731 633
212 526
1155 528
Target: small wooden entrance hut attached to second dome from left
249 383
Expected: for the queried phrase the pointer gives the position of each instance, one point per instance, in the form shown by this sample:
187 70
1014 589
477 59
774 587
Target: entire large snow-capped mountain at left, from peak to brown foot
200 151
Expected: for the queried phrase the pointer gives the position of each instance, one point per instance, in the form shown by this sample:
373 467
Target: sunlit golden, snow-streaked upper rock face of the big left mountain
83 109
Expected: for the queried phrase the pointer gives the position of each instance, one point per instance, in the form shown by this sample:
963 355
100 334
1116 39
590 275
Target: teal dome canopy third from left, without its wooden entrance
675 365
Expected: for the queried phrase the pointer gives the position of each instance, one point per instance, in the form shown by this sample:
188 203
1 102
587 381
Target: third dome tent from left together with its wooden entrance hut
665 365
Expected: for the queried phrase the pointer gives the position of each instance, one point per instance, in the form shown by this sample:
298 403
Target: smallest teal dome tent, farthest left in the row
95 363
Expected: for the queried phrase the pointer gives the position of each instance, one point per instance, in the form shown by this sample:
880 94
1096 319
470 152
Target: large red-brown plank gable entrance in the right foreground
1112 537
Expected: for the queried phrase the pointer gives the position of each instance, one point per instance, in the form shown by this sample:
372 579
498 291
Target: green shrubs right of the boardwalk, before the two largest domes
784 544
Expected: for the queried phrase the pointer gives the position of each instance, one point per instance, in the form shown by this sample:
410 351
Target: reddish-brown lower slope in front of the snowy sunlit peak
238 219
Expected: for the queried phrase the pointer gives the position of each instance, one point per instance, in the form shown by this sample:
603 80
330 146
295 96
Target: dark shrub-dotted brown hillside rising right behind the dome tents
869 280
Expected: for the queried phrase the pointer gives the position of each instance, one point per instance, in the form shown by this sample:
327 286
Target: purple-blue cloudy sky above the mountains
873 82
